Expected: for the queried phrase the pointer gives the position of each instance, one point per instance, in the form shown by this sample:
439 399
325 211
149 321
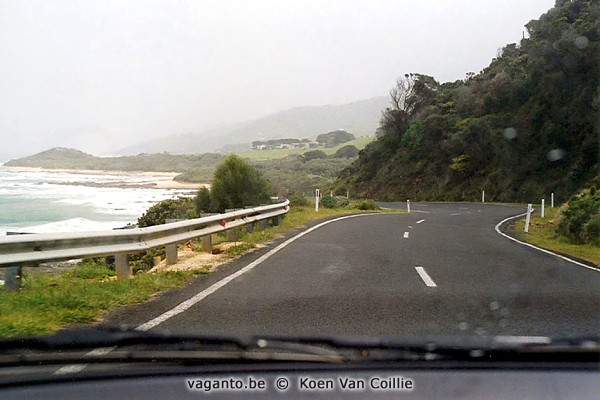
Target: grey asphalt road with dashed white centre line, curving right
440 270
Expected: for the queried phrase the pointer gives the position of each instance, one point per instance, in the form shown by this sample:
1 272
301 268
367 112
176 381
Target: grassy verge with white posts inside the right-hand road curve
542 233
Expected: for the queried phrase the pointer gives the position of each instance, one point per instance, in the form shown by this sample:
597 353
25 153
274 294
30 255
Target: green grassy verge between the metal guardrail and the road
83 294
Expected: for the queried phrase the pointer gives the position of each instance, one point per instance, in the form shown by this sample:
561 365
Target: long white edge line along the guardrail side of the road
216 286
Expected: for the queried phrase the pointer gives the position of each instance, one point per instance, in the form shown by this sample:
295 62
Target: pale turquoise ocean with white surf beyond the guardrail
40 202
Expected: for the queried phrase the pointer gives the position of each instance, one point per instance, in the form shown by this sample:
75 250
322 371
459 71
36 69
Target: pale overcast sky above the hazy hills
97 75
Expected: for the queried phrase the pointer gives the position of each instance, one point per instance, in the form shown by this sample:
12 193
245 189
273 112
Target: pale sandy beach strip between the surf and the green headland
158 180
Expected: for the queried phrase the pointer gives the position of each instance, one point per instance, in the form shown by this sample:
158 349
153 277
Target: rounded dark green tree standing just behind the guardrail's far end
237 184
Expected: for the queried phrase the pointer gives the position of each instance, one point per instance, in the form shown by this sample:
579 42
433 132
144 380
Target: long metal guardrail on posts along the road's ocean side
30 250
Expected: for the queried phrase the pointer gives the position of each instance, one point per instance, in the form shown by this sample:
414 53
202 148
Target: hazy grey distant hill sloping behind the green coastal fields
359 118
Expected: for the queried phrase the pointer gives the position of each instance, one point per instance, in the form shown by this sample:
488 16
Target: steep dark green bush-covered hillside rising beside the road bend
525 126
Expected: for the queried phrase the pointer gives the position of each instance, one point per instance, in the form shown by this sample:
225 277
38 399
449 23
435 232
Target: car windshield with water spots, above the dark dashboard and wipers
341 170
